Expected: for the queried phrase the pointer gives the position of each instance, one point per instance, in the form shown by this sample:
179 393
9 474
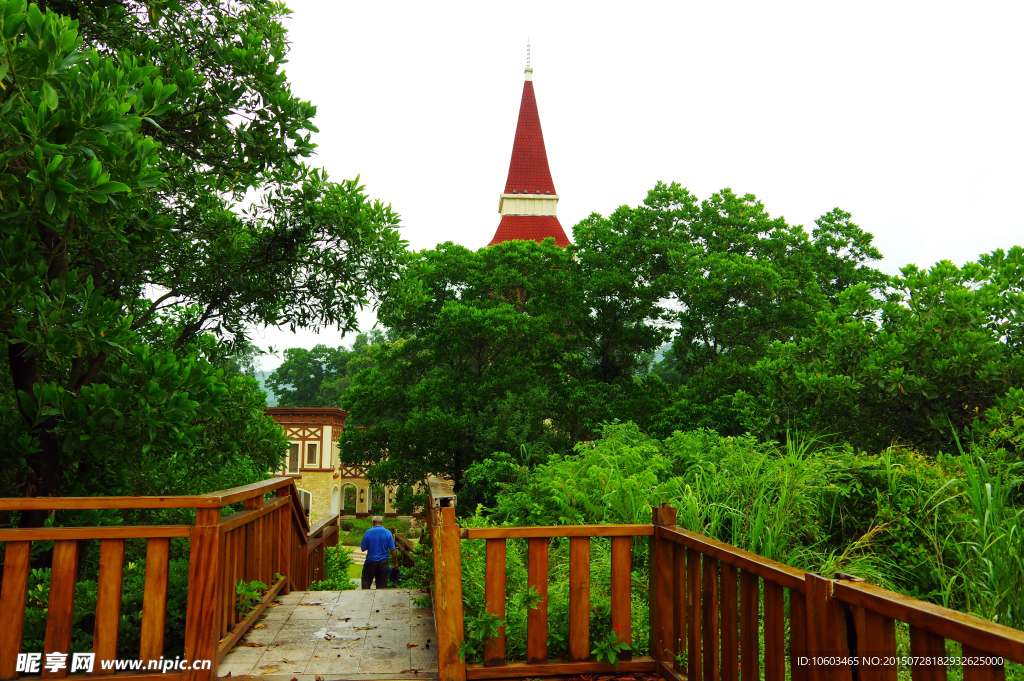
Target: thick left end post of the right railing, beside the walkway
448 594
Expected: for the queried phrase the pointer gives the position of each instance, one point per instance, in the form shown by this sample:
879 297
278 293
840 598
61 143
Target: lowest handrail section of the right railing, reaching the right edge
962 627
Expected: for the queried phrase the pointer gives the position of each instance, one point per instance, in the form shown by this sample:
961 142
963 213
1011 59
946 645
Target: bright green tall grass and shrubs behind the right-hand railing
940 529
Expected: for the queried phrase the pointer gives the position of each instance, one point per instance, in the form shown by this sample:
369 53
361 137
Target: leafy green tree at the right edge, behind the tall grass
942 355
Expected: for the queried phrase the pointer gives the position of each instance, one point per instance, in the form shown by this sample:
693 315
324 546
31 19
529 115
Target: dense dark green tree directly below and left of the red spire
481 335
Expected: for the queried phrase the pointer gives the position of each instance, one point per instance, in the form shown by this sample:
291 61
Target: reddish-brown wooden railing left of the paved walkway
268 541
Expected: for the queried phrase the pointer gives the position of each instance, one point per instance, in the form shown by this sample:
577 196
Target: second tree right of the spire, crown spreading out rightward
740 281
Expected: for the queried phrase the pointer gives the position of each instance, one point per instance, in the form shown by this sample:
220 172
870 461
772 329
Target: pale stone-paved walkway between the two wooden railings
366 634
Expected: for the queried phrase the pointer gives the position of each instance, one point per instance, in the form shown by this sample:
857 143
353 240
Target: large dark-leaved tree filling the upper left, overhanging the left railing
122 149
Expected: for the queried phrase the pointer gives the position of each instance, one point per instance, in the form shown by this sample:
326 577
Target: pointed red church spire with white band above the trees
528 205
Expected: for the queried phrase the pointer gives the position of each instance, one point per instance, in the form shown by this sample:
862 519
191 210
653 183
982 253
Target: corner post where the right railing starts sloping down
663 598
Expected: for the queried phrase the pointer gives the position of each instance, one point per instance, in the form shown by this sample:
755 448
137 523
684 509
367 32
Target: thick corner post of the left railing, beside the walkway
201 618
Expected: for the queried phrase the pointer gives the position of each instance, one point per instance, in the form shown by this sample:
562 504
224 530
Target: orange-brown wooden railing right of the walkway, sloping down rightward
717 613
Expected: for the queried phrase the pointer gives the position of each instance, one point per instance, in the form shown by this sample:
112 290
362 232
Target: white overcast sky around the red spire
907 114
